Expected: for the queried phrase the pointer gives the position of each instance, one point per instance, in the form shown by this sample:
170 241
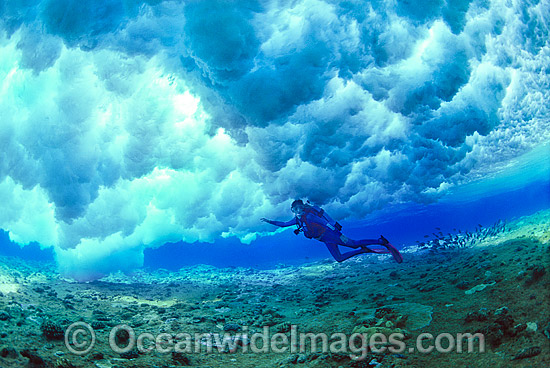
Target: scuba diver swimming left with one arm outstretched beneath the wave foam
315 223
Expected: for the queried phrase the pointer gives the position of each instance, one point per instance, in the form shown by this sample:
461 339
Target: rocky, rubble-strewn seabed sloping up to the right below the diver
496 290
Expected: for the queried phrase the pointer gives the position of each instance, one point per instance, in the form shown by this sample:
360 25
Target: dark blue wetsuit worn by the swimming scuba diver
332 238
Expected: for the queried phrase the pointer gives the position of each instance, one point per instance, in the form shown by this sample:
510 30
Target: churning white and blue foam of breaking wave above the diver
126 125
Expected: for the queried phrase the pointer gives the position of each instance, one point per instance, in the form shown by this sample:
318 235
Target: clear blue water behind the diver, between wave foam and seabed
522 189
